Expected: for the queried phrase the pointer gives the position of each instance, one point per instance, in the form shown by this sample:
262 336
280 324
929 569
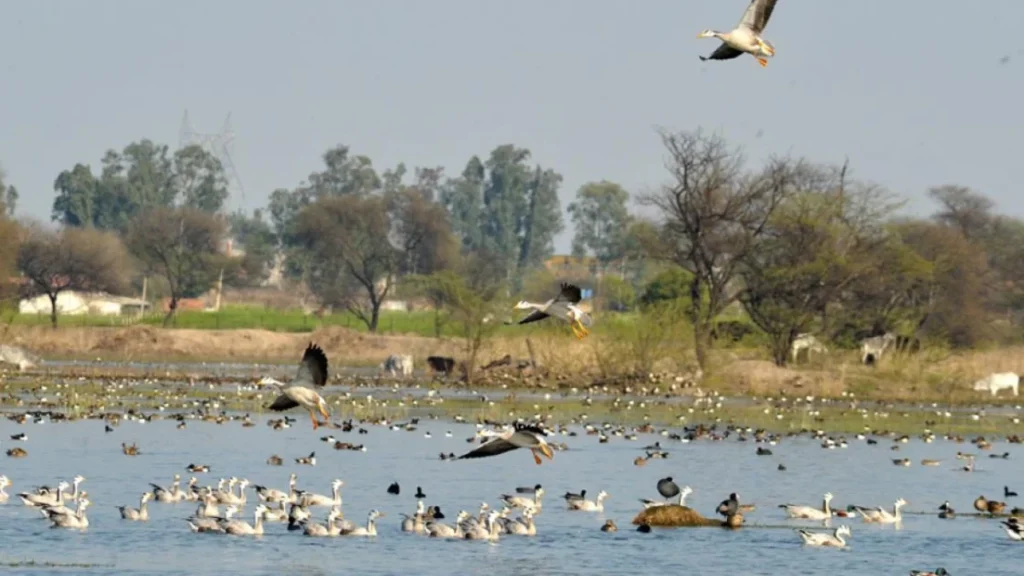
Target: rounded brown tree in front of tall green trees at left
183 245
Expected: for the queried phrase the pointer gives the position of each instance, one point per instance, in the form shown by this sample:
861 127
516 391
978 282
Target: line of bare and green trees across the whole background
798 246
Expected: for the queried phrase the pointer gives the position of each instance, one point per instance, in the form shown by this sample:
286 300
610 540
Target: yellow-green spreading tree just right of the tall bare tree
822 239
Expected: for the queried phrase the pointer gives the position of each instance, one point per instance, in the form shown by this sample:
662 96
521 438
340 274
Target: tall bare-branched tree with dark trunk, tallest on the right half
714 216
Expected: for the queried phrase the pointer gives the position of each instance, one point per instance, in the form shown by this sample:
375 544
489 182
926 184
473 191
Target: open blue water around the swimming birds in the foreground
568 543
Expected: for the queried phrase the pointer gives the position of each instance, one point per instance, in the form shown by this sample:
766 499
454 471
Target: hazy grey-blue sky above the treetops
916 93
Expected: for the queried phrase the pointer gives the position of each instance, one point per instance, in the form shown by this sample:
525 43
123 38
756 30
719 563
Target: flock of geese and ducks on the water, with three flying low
219 507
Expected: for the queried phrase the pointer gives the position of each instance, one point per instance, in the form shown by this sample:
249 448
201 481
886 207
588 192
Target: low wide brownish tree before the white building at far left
73 260
